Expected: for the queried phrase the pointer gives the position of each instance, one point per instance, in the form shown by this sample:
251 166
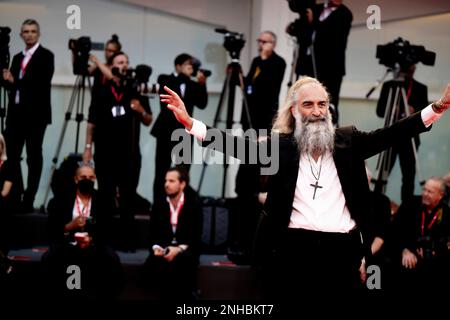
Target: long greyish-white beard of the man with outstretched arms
314 135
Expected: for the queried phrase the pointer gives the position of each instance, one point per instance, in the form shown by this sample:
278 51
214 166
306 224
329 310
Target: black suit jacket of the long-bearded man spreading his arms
352 147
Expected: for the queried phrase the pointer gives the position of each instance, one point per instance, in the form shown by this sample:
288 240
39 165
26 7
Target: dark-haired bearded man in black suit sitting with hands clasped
175 233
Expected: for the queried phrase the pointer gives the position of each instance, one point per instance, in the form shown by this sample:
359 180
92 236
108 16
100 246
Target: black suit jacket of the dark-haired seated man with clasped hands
189 228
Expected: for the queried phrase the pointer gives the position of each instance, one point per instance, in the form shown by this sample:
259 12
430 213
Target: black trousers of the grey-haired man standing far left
31 136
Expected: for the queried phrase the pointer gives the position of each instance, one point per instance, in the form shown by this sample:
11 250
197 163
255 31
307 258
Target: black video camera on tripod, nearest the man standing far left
81 49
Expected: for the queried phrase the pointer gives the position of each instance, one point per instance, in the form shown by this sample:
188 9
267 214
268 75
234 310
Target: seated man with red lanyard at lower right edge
422 225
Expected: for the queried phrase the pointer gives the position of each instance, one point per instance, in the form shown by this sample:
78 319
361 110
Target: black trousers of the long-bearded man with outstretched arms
313 261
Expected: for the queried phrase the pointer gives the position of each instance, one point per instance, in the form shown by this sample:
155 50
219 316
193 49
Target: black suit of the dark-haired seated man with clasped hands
176 278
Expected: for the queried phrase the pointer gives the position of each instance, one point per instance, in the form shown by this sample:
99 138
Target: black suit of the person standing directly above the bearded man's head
330 43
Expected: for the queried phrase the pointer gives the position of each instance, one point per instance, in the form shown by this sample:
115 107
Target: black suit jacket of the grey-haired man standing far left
34 87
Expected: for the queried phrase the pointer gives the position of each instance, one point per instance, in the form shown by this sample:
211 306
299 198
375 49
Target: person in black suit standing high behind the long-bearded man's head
328 26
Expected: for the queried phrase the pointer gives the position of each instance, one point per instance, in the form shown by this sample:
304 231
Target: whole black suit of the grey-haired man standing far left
26 121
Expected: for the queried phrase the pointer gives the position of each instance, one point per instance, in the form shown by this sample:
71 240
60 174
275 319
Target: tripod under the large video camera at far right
396 104
